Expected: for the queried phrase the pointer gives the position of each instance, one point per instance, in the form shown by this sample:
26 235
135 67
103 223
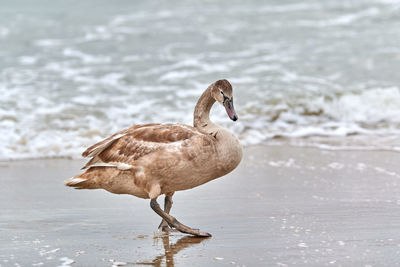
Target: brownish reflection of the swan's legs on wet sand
170 249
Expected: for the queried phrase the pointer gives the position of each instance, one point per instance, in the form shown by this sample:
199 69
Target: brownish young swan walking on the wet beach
149 160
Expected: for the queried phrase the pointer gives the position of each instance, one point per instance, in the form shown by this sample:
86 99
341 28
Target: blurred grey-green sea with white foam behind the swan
321 73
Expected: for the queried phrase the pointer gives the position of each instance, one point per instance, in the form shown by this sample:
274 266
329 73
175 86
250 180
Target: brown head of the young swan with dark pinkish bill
222 93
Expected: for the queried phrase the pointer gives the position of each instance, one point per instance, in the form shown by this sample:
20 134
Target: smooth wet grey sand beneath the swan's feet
283 206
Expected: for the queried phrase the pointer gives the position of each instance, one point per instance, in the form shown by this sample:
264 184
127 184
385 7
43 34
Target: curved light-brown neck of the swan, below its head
202 109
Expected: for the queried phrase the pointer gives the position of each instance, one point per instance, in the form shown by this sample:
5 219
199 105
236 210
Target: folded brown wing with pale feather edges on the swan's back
125 147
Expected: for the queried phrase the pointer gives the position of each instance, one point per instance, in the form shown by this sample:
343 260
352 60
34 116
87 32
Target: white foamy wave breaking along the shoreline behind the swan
64 131
